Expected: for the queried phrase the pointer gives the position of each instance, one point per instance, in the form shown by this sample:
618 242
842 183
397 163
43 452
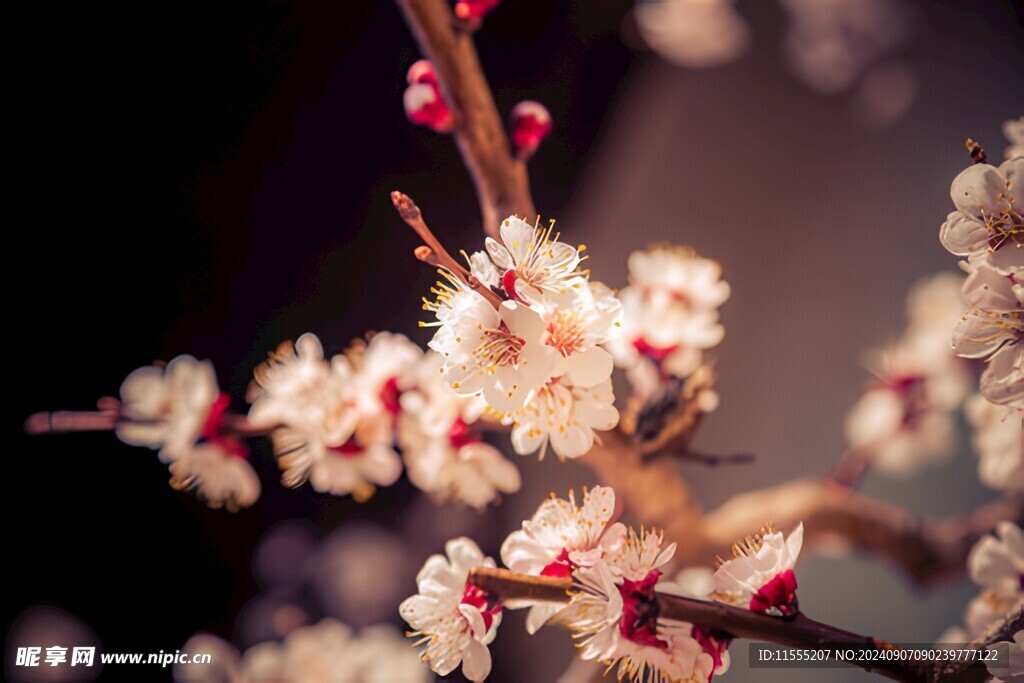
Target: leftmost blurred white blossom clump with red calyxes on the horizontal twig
179 411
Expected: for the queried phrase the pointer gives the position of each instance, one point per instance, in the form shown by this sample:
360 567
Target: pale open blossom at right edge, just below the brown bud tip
989 222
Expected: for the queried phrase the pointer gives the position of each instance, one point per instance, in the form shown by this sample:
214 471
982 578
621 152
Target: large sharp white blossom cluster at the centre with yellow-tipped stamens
534 352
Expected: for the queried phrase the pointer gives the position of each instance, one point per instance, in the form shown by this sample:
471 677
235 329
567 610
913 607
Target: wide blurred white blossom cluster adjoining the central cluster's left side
336 423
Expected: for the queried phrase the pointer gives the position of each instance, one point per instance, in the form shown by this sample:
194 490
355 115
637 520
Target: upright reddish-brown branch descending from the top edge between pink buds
501 181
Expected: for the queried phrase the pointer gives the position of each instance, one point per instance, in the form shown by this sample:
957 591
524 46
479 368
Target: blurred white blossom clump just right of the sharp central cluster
671 310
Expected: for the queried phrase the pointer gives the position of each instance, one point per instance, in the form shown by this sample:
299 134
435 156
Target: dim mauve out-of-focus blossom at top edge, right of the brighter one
830 44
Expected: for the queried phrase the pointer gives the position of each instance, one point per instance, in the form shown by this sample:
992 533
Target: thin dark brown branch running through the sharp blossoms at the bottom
799 632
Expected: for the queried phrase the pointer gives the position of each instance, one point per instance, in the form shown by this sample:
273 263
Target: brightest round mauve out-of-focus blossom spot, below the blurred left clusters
362 574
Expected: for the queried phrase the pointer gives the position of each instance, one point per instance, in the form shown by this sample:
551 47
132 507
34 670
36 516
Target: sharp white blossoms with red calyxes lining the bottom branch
614 609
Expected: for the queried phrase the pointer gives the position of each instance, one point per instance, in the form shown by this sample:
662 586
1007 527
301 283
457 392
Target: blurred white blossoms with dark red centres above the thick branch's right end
905 418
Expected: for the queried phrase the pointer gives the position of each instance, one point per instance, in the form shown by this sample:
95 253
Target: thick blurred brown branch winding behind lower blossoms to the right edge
928 550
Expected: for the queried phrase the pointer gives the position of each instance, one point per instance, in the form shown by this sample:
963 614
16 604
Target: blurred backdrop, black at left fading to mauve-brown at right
214 180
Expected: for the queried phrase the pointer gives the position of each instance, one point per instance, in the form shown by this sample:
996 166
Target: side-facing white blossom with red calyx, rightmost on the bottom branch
760 577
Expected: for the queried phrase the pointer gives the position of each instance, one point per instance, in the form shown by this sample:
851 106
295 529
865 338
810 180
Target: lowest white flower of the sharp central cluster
567 417
